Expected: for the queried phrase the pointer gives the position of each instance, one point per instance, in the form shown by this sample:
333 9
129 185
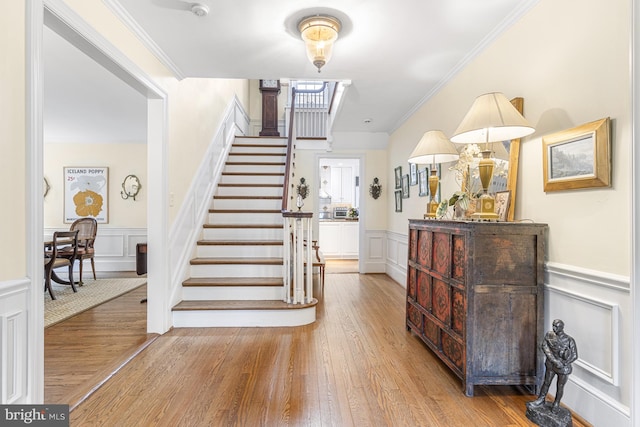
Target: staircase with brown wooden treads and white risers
237 274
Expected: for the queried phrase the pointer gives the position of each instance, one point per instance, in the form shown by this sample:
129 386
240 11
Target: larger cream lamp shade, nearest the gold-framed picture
491 118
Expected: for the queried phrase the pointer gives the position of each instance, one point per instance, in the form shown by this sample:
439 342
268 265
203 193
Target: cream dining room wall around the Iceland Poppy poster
121 159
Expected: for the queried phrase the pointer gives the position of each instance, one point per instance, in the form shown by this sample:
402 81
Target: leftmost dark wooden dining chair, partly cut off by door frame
66 242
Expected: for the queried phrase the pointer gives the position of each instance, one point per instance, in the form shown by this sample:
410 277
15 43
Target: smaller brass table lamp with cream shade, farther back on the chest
434 147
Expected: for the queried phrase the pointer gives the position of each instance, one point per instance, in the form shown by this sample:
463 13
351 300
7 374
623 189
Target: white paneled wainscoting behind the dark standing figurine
594 306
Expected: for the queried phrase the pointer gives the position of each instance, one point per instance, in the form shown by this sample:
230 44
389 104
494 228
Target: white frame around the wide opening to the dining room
62 19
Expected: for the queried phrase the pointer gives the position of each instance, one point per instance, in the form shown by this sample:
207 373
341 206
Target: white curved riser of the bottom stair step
243 318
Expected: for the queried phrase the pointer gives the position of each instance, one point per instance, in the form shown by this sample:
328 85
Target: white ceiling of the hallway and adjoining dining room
395 54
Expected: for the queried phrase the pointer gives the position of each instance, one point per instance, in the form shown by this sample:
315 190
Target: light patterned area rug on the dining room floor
91 294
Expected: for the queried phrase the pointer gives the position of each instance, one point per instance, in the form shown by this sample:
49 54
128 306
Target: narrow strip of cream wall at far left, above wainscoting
12 140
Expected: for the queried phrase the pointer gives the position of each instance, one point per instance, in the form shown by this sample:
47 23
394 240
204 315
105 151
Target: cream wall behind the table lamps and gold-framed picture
569 72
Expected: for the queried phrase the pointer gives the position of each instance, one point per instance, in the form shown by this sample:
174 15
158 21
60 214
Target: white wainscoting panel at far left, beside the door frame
13 340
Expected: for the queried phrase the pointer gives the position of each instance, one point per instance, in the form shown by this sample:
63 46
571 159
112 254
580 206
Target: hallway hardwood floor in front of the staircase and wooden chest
356 366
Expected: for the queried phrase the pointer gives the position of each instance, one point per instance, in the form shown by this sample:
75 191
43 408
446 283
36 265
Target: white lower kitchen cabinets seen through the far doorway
339 239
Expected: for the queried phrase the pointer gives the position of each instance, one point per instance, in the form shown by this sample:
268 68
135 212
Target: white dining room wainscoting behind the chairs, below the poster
115 249
